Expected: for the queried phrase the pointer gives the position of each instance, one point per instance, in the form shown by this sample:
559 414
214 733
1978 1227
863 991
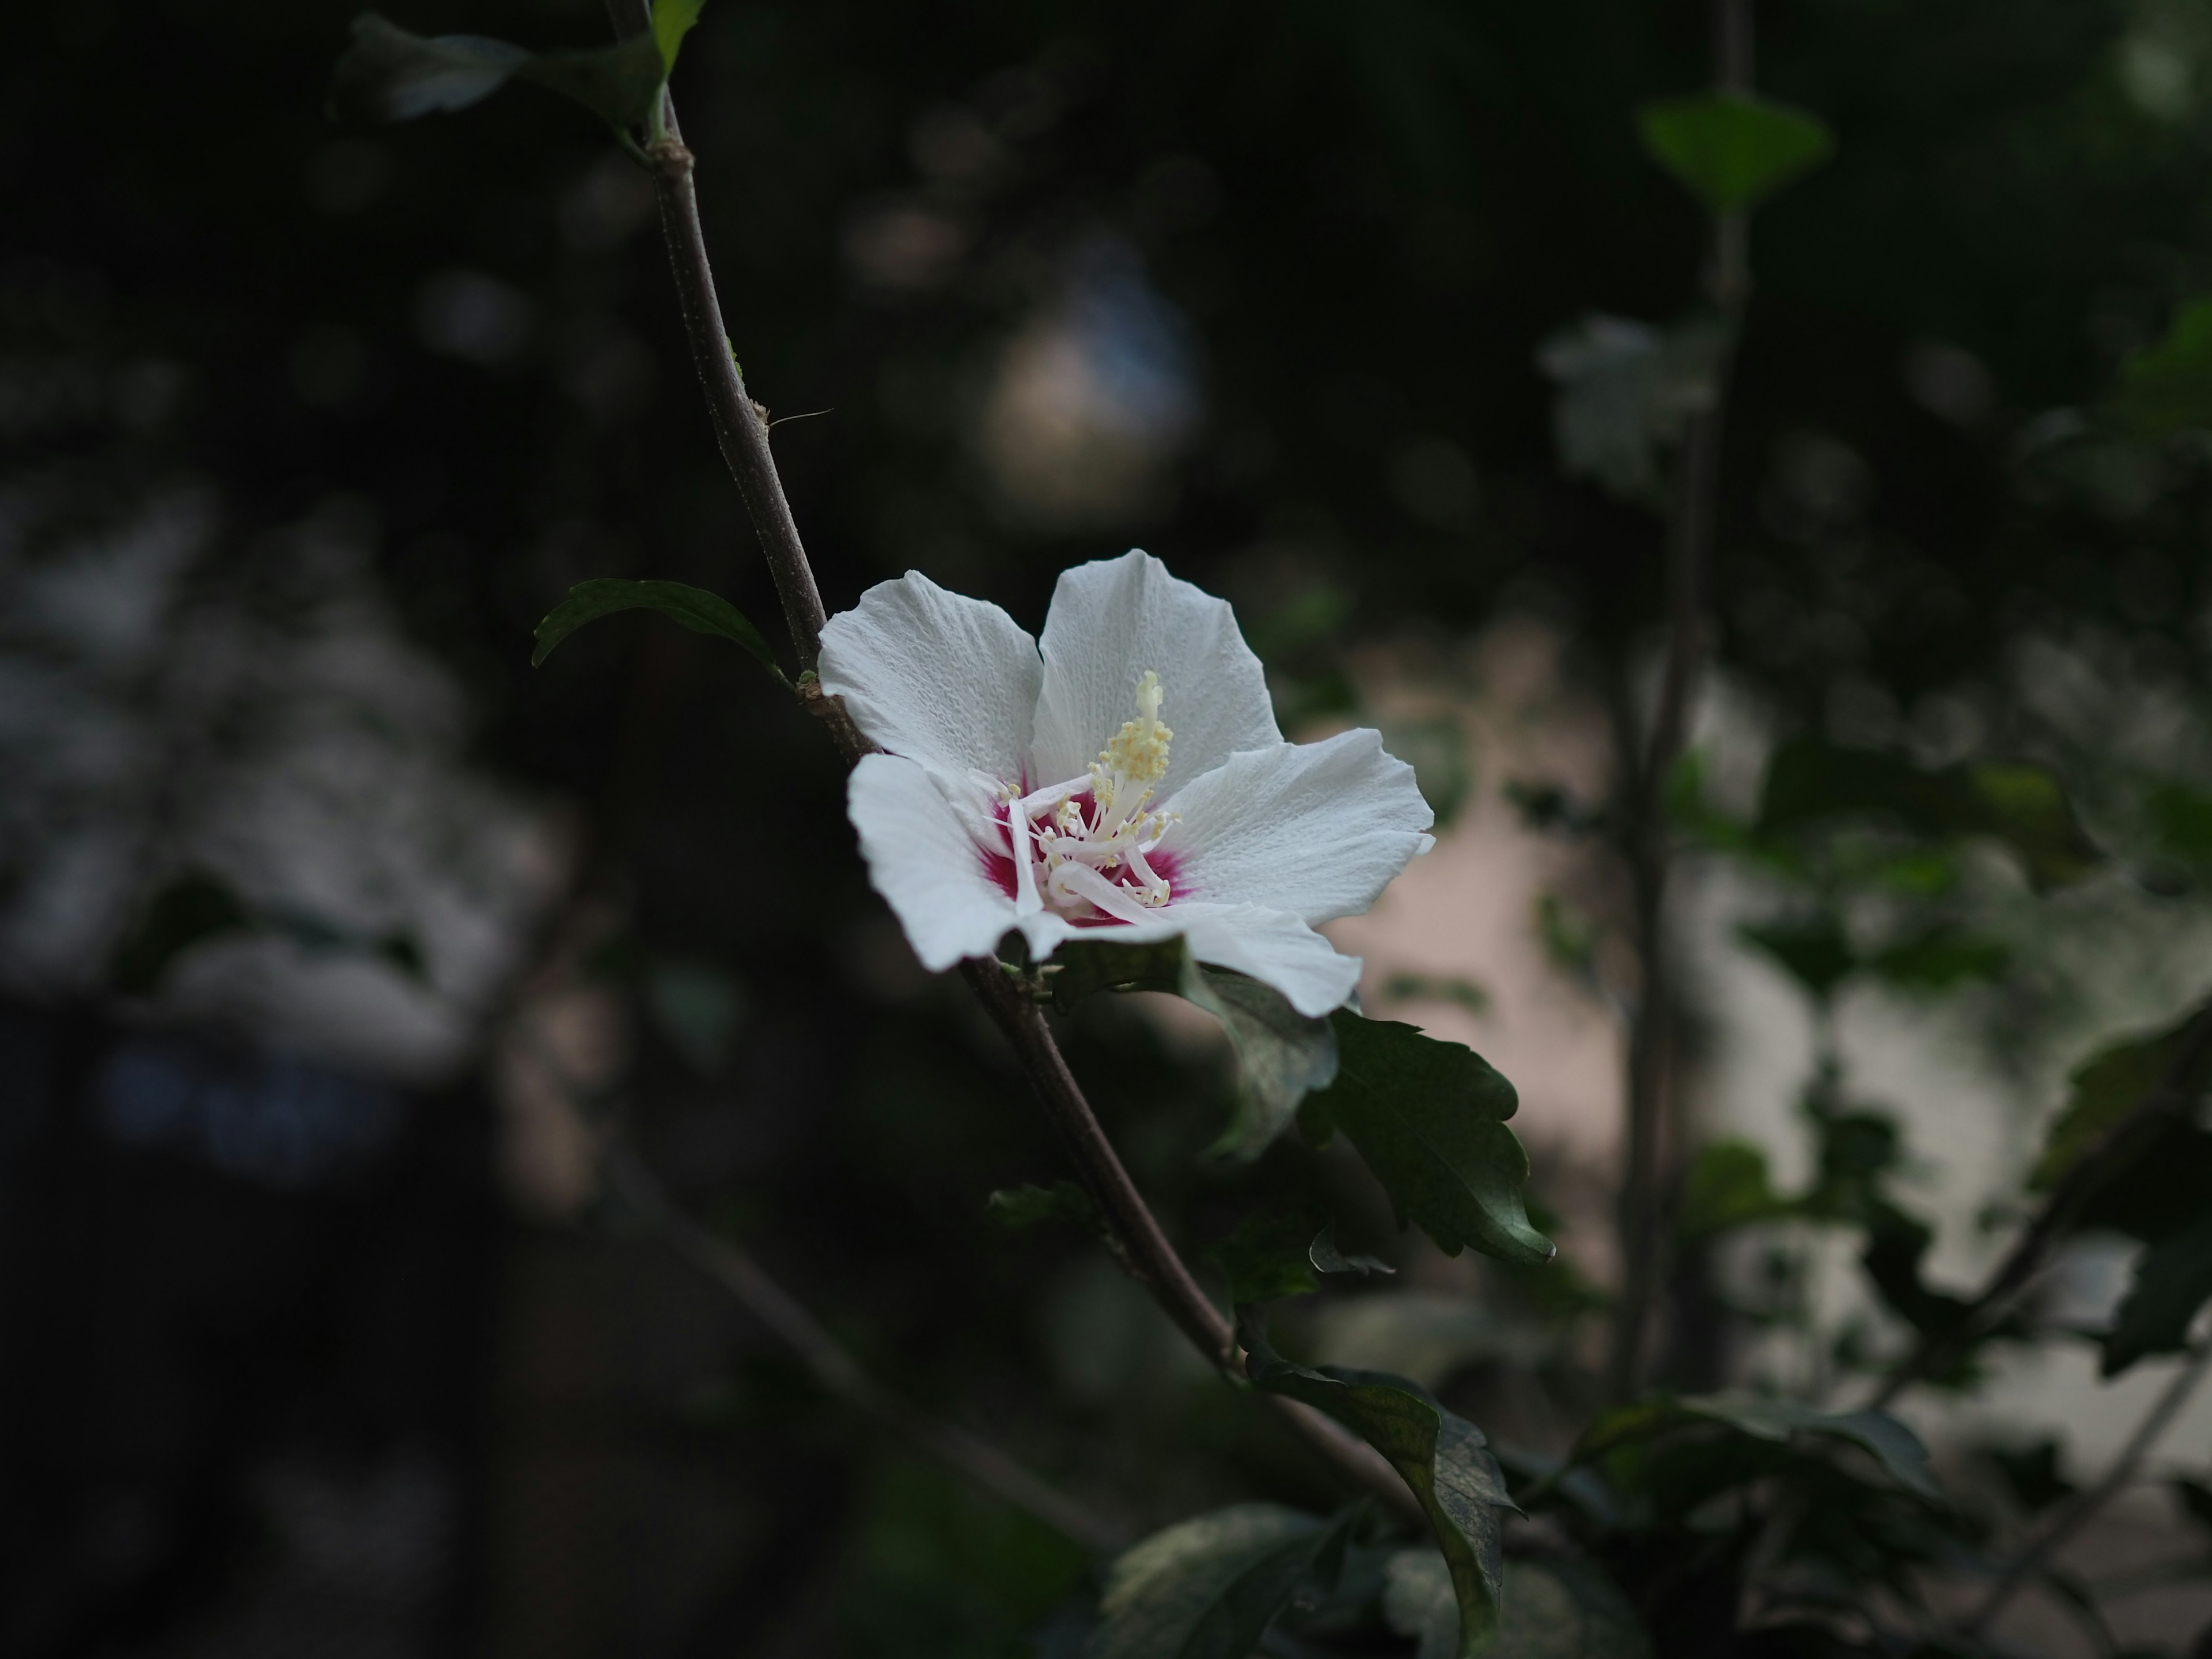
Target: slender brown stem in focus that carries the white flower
742 432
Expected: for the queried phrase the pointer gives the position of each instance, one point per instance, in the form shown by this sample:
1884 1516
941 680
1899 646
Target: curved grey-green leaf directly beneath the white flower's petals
1282 1054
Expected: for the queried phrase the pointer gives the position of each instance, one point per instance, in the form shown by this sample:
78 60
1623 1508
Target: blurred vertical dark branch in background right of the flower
1691 536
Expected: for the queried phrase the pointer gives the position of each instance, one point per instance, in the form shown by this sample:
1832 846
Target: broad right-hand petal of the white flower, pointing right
1311 828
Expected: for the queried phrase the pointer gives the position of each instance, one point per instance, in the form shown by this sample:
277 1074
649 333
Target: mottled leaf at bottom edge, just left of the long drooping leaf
1209 1587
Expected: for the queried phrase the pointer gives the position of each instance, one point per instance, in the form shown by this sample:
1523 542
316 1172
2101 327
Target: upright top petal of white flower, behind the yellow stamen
1109 625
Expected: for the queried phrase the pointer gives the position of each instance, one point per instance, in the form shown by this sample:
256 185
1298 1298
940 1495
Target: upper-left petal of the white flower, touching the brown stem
935 676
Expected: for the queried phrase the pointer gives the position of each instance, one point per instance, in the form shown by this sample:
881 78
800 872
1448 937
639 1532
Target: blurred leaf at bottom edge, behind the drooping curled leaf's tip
1552 1611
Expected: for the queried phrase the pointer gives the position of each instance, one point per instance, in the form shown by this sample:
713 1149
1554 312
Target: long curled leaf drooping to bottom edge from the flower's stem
1441 1457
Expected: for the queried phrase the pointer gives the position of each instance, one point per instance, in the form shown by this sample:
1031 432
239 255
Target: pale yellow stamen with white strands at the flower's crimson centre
1089 848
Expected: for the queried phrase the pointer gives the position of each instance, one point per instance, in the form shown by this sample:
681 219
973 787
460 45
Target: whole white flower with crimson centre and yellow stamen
1045 793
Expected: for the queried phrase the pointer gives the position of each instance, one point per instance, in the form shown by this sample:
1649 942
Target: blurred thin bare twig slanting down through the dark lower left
839 1373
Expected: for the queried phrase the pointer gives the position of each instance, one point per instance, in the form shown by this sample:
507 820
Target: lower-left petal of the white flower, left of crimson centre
926 862
